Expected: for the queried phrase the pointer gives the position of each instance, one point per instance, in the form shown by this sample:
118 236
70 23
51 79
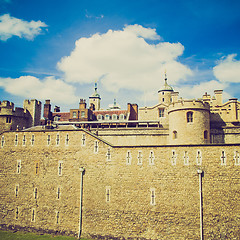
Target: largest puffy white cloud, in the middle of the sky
124 59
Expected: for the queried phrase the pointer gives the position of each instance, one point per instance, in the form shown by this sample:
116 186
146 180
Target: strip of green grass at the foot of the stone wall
8 235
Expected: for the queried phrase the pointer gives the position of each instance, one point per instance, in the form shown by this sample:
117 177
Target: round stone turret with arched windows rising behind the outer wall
189 122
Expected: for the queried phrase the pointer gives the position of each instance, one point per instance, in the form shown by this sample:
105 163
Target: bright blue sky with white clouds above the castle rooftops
58 49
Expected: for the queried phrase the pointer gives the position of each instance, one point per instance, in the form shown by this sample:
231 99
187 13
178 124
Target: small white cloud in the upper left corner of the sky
11 26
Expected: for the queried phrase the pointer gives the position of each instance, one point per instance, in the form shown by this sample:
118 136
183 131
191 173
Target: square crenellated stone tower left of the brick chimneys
34 108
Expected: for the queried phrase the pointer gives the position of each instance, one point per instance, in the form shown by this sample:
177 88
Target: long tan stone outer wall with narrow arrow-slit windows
146 191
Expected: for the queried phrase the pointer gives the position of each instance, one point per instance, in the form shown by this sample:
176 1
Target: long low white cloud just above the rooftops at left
32 87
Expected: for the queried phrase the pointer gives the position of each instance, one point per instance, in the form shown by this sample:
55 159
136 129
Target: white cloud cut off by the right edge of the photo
228 69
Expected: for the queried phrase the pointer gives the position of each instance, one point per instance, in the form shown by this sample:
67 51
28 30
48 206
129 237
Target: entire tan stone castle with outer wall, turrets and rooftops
168 171
